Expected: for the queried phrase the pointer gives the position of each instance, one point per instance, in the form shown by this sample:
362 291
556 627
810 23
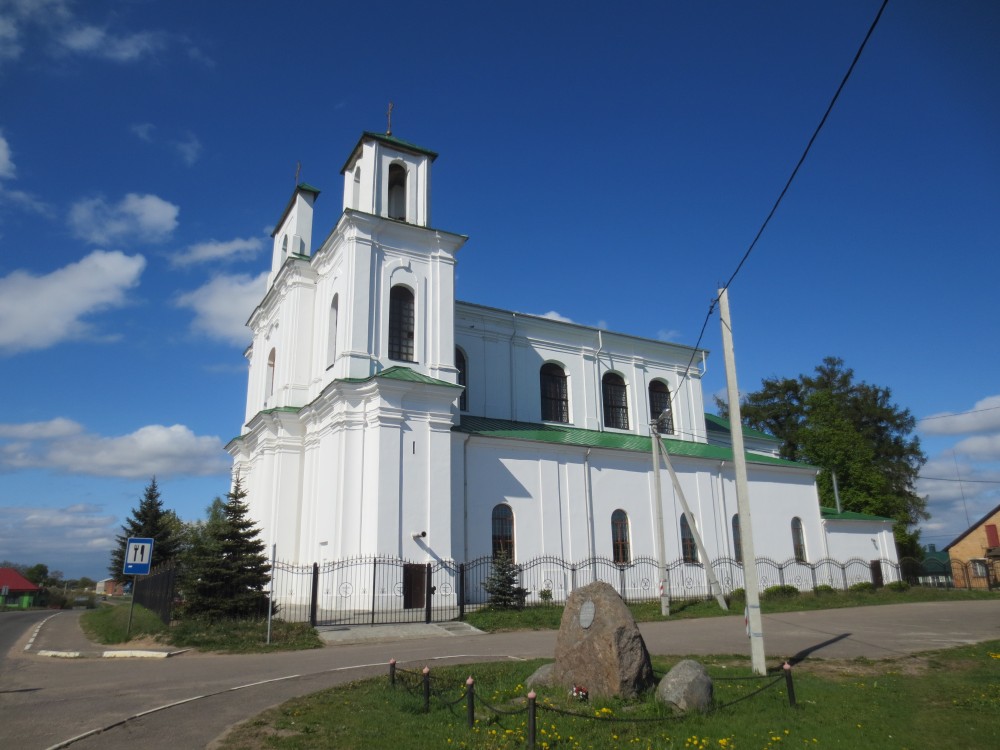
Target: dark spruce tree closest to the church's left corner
226 568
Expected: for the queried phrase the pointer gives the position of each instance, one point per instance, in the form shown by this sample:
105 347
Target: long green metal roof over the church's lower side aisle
551 433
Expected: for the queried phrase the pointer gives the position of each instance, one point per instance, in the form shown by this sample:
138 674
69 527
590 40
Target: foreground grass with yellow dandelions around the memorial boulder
947 699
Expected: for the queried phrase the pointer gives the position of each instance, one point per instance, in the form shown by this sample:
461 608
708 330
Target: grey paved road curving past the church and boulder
45 701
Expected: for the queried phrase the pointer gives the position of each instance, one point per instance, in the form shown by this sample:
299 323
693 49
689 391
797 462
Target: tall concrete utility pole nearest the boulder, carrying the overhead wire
751 585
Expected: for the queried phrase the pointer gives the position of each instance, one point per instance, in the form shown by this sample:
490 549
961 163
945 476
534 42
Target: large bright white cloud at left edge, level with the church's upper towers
96 282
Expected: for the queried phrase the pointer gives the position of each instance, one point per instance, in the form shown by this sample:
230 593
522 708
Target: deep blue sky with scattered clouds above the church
610 163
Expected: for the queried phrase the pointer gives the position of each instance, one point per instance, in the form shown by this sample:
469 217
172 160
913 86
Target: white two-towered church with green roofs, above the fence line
385 417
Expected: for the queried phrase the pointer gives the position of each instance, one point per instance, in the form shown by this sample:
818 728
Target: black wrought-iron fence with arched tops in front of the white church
379 590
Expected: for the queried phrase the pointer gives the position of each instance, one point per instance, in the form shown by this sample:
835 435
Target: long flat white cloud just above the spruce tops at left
61 445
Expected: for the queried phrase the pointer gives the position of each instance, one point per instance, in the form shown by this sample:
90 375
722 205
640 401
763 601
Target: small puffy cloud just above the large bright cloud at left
146 218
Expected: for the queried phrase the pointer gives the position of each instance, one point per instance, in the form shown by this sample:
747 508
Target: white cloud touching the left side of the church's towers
223 305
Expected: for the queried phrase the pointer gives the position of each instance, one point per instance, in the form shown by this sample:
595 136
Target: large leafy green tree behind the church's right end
849 428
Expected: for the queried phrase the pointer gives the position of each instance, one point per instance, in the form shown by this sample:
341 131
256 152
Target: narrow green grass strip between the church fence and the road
548 617
